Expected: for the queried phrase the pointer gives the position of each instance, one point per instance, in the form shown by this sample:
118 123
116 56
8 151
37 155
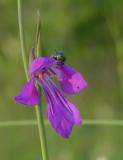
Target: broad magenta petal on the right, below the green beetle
72 82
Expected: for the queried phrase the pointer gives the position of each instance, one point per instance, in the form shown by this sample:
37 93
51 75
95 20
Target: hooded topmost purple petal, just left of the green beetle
40 63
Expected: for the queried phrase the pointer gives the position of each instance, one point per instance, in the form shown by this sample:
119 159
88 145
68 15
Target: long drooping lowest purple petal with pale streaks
61 113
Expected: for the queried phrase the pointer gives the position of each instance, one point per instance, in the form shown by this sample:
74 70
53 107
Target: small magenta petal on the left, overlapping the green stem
29 95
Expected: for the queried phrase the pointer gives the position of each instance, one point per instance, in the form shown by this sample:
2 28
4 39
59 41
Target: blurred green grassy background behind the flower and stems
90 32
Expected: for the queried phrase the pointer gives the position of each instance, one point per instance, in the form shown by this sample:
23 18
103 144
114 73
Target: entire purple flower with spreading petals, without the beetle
62 114
